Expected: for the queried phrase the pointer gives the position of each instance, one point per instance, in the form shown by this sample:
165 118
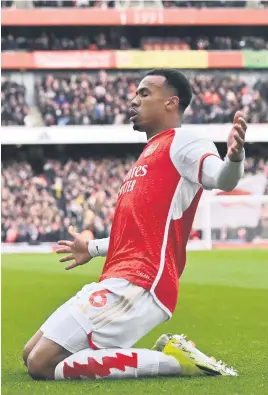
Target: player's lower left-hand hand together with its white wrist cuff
81 251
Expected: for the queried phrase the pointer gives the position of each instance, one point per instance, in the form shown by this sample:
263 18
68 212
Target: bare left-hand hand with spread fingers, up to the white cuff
77 250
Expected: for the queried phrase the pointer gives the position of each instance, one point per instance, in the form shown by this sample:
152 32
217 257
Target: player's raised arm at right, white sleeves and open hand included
197 159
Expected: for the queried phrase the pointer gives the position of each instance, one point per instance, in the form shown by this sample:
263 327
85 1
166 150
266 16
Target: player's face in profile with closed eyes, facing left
148 107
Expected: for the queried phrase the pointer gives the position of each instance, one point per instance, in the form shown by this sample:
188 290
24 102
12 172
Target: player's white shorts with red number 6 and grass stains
110 314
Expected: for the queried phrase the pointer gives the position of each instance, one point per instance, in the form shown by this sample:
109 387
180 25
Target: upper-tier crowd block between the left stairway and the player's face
82 99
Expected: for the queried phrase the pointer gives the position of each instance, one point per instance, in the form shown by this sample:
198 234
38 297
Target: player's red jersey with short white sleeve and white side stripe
154 214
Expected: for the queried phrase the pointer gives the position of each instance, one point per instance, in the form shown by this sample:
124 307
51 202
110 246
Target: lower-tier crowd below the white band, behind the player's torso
40 207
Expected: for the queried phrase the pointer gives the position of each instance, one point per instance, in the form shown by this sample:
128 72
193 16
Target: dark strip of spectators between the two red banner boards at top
115 40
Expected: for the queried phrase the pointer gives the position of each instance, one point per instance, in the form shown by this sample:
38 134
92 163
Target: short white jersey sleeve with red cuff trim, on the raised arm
188 153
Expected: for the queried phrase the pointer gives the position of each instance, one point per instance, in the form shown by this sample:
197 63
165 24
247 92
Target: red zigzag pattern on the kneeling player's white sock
93 368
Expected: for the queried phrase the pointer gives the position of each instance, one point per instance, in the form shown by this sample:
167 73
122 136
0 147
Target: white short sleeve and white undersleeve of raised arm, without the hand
198 161
